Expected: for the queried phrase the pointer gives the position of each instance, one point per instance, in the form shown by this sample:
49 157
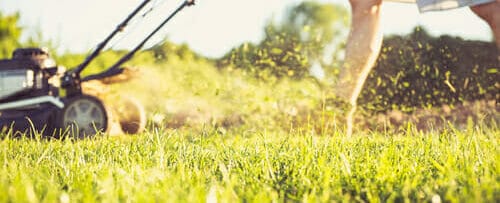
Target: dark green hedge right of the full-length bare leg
419 70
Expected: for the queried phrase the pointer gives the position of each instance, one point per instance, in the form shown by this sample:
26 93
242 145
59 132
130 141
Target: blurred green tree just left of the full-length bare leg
289 48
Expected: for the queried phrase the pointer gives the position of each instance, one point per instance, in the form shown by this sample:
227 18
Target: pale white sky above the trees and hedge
212 27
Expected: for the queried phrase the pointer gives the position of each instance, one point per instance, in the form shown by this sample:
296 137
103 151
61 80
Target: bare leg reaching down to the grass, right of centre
363 47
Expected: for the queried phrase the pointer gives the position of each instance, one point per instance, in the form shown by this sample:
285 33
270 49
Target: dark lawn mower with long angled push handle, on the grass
37 96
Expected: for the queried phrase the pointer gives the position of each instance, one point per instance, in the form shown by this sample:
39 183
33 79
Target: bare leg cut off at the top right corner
490 12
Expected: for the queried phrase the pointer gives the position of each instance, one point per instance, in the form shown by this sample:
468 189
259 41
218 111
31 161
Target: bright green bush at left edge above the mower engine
9 34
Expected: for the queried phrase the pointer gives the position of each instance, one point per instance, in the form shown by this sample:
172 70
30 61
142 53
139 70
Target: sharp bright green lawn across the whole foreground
254 165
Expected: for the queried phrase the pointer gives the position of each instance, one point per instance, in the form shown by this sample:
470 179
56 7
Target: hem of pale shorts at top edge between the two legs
438 5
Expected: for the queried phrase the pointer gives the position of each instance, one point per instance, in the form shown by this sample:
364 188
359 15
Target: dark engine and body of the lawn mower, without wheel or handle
27 100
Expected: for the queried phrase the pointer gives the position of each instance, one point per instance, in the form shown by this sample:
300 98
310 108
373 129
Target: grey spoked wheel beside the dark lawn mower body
82 116
